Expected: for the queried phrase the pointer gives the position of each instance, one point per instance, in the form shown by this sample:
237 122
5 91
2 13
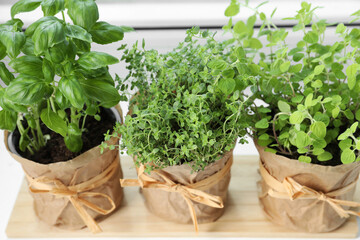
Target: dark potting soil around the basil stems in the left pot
56 150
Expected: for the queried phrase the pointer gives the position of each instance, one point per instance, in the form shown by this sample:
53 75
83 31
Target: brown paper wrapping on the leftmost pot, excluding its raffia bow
58 211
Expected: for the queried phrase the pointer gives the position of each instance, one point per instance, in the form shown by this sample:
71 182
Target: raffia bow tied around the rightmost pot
292 190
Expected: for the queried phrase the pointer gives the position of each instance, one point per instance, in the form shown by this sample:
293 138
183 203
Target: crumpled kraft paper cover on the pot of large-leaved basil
59 211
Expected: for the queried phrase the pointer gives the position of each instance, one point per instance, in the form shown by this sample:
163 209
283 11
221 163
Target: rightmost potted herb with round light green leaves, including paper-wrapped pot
307 128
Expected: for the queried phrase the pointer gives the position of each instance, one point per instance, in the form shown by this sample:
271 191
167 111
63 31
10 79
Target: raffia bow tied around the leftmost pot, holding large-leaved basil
77 193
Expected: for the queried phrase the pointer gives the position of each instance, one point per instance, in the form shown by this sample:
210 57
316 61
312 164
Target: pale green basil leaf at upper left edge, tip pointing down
13 41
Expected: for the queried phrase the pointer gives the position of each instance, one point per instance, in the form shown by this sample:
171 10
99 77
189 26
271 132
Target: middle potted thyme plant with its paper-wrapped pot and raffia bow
182 130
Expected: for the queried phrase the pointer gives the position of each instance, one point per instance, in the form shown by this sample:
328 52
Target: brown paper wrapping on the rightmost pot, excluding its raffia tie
306 215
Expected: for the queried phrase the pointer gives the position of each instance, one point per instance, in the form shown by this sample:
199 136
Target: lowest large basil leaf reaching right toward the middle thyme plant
100 91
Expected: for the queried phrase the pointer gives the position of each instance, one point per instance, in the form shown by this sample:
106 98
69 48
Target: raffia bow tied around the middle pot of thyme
192 192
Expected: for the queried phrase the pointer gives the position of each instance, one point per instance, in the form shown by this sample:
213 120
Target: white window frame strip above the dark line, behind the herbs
159 13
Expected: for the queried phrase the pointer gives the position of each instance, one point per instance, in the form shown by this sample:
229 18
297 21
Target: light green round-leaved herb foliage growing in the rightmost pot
309 94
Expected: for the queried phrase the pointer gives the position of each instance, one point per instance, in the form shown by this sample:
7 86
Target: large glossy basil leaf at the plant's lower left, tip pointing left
27 90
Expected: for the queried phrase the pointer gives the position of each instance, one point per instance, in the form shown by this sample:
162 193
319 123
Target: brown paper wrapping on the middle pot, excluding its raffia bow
172 206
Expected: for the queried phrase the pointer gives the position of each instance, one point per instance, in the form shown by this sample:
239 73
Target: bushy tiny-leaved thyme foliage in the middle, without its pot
186 110
